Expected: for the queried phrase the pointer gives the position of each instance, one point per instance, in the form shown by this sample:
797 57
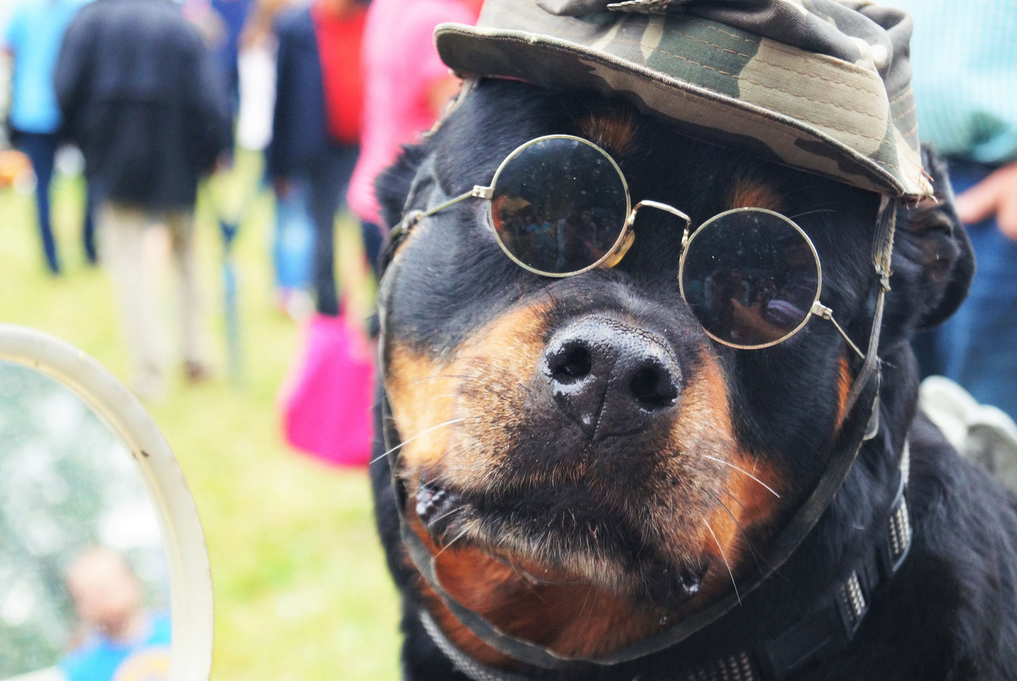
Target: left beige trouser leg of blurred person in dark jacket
122 232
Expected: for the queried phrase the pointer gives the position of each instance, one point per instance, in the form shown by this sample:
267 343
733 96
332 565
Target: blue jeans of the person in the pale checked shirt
978 346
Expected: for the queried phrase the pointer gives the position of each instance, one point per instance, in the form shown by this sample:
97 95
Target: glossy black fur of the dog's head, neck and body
951 613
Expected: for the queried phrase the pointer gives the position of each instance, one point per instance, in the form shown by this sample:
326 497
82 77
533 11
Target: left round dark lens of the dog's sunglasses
559 206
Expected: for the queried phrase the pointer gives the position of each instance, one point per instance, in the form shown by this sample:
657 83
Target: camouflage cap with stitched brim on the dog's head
820 86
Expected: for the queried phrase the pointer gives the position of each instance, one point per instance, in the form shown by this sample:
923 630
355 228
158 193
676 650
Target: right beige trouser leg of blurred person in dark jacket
182 226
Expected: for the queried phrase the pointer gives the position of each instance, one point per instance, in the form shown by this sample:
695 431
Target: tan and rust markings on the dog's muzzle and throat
584 607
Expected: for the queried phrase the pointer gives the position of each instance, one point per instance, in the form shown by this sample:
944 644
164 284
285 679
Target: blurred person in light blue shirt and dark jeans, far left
33 39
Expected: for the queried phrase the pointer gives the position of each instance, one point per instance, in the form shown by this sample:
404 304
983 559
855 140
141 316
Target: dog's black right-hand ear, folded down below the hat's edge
946 258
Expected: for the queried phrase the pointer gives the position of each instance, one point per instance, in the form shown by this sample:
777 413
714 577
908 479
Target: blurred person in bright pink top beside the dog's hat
406 91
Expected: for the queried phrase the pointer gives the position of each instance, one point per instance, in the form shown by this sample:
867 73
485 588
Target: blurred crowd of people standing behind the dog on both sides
157 95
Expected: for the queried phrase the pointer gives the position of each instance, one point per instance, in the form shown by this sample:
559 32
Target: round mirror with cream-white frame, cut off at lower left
104 574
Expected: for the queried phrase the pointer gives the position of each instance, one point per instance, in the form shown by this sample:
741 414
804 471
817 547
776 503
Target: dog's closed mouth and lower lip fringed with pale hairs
559 545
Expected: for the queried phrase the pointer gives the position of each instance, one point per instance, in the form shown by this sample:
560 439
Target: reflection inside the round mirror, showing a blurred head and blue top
84 584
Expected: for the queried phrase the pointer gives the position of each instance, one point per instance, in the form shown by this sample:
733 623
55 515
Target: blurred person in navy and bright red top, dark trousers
317 125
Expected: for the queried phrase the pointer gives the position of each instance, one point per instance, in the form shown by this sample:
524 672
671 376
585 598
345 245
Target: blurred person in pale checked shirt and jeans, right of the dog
966 86
